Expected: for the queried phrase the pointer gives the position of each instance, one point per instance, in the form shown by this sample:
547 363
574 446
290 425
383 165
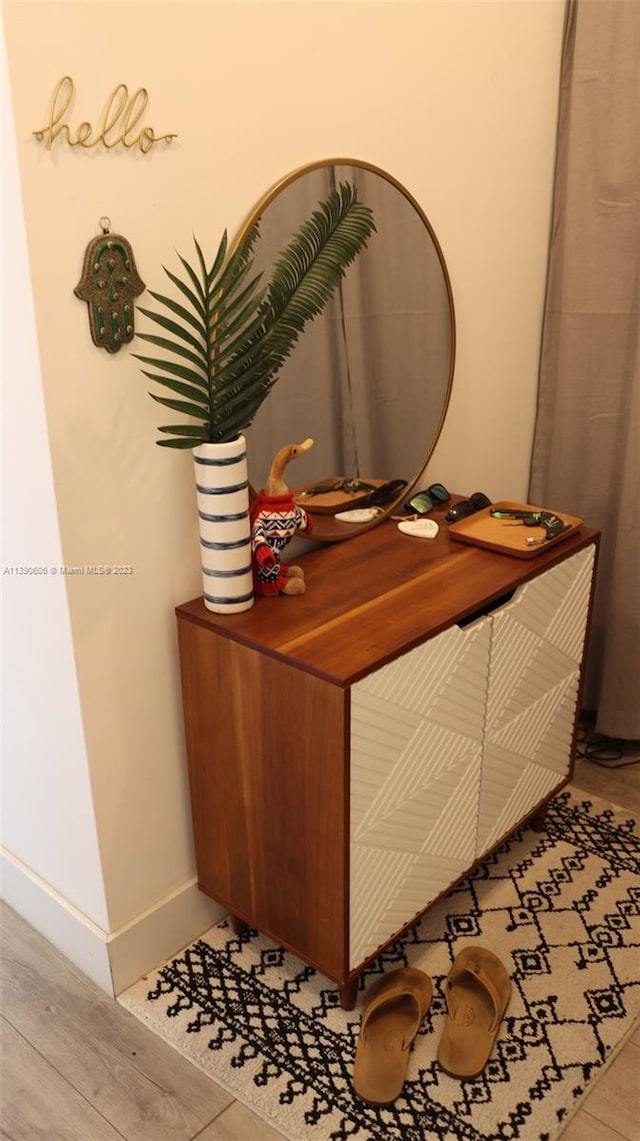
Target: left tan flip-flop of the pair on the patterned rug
393 1014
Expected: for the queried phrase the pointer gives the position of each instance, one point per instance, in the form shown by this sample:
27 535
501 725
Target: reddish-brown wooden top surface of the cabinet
377 596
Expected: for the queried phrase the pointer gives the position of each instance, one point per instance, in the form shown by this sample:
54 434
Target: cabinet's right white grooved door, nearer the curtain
537 650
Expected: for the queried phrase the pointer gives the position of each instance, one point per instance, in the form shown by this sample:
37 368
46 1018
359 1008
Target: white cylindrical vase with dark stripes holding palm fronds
222 484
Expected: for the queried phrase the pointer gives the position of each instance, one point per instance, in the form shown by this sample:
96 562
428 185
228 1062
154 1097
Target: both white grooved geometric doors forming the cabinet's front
456 742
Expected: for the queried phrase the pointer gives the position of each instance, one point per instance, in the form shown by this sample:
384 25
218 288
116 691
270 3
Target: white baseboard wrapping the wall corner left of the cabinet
114 960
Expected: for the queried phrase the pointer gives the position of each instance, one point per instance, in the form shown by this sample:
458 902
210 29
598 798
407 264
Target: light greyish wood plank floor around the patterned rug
77 1067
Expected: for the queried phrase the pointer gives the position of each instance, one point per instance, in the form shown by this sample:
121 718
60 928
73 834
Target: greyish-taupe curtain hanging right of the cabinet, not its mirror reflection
586 456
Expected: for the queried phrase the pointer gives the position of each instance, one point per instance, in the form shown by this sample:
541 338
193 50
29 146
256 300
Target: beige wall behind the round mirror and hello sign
457 100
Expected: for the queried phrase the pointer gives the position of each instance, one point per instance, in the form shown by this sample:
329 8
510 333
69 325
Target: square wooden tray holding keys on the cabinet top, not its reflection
482 530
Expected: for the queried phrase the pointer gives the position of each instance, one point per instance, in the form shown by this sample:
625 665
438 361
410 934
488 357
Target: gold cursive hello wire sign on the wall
118 127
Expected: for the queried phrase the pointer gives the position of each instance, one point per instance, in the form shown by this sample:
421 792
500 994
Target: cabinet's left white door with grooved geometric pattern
417 742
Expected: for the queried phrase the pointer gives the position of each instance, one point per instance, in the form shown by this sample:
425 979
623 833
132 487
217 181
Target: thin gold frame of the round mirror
326 528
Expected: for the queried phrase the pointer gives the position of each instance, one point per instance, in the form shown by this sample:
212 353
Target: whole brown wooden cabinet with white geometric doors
354 752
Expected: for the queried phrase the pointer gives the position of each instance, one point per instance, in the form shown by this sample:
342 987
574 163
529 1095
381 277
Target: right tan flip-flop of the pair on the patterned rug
477 993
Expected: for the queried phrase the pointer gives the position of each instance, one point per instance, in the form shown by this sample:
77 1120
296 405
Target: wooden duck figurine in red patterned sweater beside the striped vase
276 519
